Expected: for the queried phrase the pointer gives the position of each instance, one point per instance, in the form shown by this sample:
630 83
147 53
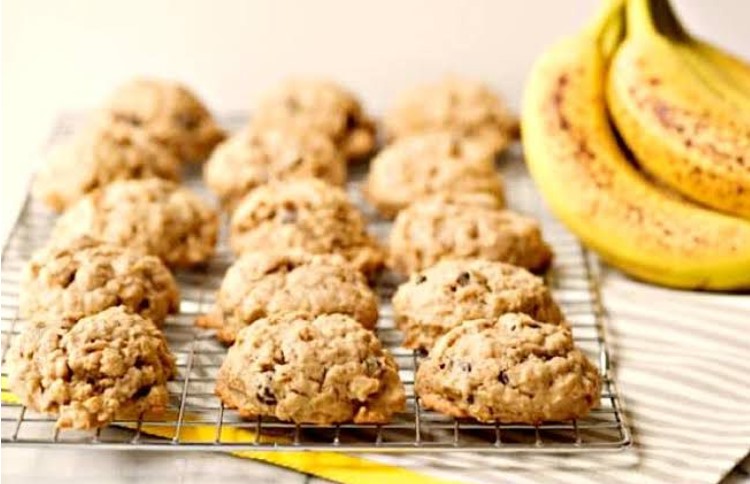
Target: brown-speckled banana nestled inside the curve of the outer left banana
677 128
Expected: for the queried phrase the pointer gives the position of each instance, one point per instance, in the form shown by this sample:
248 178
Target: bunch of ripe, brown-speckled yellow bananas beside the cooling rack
638 136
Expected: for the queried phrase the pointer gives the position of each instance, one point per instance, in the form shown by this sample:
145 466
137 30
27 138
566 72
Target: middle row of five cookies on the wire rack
296 306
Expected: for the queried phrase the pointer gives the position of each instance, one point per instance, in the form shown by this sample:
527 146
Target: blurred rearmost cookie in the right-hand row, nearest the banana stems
464 106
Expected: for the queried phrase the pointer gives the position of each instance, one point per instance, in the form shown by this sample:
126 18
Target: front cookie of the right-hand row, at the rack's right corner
510 370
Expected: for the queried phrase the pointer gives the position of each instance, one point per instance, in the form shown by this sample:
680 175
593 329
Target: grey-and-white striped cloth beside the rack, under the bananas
683 364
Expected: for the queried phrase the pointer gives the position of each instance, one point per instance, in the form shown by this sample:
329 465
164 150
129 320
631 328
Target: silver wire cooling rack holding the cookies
196 418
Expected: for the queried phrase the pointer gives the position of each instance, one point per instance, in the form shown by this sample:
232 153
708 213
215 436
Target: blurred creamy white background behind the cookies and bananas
62 54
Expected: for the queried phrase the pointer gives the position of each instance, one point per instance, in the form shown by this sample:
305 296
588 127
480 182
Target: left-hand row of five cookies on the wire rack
96 296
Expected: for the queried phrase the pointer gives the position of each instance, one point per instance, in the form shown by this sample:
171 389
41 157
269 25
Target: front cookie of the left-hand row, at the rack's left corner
109 365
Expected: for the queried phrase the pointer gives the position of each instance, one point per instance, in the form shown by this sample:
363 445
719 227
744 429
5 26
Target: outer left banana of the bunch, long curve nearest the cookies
586 179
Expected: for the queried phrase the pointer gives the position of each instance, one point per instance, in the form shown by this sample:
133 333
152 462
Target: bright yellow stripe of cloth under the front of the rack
335 466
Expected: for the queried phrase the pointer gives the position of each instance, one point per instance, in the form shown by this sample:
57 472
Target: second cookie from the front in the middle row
264 283
